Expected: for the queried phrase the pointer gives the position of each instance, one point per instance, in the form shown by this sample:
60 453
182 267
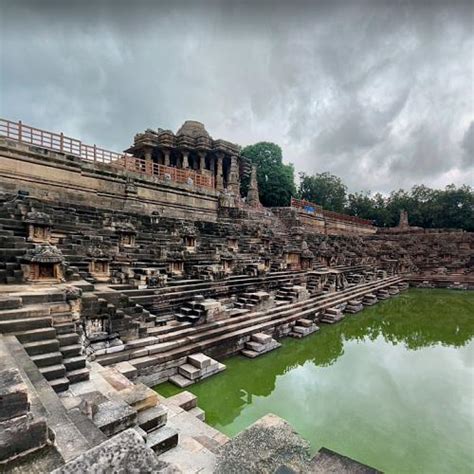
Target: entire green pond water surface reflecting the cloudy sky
392 386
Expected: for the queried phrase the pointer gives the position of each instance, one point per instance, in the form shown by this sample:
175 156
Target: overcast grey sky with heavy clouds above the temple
380 94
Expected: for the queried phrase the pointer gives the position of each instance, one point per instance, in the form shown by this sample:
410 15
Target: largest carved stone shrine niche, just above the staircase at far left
44 263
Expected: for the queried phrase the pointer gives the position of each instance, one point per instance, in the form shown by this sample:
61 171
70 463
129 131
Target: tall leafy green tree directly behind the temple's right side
276 180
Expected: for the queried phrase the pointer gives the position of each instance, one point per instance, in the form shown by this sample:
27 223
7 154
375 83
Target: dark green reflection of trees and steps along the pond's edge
418 319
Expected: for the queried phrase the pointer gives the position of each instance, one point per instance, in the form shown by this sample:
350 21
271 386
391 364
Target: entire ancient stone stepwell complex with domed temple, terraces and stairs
121 271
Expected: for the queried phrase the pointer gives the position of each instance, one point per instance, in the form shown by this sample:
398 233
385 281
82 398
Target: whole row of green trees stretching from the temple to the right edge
452 207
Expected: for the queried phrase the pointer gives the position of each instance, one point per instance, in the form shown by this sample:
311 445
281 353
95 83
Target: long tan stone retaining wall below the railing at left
61 178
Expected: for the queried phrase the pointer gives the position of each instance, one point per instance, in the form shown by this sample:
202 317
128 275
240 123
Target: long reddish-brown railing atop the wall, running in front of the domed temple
64 144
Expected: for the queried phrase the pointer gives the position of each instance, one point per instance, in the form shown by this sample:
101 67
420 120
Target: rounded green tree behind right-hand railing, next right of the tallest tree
324 189
